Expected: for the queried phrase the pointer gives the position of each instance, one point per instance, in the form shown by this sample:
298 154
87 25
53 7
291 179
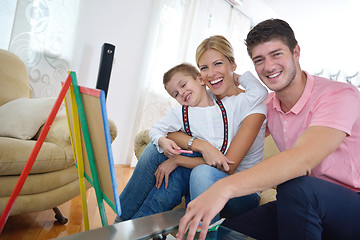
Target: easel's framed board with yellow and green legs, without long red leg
92 146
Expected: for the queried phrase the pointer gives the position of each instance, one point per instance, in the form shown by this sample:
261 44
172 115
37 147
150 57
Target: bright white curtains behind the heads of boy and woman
179 27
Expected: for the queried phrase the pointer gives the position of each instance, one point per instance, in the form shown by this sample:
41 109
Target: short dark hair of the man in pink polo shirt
268 30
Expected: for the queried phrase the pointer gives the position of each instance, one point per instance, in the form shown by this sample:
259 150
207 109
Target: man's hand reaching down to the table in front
203 208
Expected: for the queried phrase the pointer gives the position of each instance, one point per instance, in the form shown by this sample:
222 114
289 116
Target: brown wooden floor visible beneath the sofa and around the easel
42 225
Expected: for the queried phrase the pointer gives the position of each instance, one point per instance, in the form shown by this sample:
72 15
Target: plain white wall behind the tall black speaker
124 24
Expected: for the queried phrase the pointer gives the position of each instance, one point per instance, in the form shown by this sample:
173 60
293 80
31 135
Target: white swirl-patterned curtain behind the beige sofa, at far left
43 36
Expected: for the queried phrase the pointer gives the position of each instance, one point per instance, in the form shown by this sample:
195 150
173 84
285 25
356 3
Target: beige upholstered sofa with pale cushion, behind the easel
53 179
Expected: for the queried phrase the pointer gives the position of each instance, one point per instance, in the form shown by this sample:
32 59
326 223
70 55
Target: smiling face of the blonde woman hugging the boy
217 72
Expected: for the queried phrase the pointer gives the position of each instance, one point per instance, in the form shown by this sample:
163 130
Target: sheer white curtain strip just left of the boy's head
167 50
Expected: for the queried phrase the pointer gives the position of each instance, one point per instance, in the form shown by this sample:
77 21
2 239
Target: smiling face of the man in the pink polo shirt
275 64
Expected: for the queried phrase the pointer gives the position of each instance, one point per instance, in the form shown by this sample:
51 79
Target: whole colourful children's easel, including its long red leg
101 185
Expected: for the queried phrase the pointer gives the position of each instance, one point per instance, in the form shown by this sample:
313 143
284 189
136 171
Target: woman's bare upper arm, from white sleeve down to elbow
244 139
